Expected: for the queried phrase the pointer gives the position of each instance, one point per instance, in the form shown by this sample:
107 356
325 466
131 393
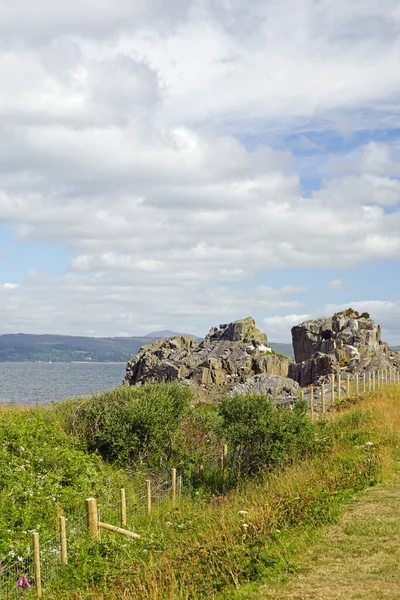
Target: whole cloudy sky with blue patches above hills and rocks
187 163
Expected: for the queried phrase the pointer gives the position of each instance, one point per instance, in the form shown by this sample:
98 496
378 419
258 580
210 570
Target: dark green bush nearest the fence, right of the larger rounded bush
261 436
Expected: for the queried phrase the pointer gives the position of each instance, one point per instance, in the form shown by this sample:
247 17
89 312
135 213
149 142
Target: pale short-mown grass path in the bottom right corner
359 559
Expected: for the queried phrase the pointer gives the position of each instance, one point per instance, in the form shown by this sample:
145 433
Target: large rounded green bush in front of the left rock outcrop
134 426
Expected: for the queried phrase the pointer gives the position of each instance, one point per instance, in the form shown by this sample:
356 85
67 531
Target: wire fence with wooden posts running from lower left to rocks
39 568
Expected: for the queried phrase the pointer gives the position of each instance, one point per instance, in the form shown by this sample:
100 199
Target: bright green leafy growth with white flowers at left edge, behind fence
40 463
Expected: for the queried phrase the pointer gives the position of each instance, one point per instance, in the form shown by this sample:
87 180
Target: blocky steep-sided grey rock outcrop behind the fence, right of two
346 341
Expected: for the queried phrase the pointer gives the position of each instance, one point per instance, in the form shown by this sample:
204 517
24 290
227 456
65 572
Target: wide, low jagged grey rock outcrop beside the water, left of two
228 356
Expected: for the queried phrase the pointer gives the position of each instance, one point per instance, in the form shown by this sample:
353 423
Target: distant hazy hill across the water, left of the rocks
65 348
